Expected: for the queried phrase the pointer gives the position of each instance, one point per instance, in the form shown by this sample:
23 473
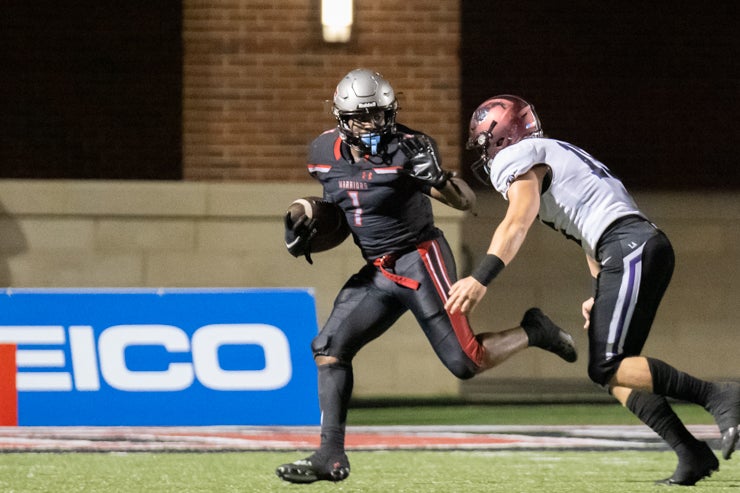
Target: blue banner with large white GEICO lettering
162 357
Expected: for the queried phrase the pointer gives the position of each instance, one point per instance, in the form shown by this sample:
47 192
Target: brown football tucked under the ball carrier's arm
331 225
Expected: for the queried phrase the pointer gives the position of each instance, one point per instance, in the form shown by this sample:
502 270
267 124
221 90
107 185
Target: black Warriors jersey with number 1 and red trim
387 210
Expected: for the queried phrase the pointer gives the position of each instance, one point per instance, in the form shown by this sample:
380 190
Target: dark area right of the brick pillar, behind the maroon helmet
649 88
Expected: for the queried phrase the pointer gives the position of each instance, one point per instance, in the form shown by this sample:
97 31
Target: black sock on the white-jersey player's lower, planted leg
654 411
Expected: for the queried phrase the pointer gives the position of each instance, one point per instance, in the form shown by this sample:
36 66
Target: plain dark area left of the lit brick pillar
91 89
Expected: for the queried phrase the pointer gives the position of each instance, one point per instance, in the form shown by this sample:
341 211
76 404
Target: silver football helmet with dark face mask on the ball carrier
365 108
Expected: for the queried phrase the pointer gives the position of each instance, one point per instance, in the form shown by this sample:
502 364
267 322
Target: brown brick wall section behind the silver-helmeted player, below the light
257 75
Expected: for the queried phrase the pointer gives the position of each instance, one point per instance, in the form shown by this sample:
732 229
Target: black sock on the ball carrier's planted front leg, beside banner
335 388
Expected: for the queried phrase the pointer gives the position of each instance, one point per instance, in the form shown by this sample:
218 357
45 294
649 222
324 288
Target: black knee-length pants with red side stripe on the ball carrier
370 302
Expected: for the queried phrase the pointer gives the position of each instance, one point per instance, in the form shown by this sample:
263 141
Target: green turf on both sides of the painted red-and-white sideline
383 471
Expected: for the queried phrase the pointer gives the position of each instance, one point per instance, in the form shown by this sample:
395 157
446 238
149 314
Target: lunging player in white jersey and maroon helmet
630 259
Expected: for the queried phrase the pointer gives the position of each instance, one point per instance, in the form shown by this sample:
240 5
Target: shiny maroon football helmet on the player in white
497 123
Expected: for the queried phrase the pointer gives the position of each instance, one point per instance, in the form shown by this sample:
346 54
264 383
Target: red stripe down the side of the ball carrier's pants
432 258
